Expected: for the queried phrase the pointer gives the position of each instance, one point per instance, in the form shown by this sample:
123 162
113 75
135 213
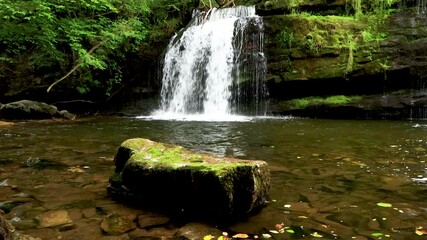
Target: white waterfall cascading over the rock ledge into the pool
216 66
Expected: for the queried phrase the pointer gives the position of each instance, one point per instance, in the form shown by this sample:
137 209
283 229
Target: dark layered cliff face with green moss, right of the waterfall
374 53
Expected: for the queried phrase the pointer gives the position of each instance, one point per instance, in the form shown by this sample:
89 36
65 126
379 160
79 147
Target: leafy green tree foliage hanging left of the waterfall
84 42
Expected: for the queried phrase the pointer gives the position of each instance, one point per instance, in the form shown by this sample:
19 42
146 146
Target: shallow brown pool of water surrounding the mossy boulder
328 176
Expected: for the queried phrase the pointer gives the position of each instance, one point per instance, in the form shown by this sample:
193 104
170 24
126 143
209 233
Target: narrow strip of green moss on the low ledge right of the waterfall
331 100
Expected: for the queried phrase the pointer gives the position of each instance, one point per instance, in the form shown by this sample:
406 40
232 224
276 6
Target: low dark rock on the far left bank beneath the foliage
27 109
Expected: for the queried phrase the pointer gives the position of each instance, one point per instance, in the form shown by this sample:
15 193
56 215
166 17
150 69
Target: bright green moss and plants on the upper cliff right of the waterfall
350 38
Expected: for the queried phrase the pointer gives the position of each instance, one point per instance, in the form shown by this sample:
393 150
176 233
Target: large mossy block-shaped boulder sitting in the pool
171 178
